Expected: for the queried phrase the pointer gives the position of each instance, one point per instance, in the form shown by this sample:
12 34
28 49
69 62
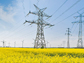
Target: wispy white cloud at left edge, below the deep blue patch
7 16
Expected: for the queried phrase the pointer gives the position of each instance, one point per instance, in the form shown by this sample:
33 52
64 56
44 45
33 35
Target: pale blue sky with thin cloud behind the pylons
12 17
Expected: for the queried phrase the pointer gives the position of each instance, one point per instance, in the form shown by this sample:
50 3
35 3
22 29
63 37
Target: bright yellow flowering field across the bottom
48 55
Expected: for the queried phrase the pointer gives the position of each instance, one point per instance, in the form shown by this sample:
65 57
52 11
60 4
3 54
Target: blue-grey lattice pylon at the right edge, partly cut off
80 41
